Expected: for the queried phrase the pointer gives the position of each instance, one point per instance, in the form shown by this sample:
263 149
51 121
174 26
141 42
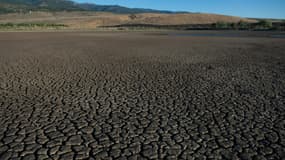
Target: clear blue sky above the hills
243 8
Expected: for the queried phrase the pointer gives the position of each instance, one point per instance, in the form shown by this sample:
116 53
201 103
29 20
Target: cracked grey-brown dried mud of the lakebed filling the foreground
104 95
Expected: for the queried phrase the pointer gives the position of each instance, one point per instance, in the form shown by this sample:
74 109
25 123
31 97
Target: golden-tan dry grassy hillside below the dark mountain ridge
93 20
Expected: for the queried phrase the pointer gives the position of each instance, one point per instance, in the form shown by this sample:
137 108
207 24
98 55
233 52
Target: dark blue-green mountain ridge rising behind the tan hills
15 6
